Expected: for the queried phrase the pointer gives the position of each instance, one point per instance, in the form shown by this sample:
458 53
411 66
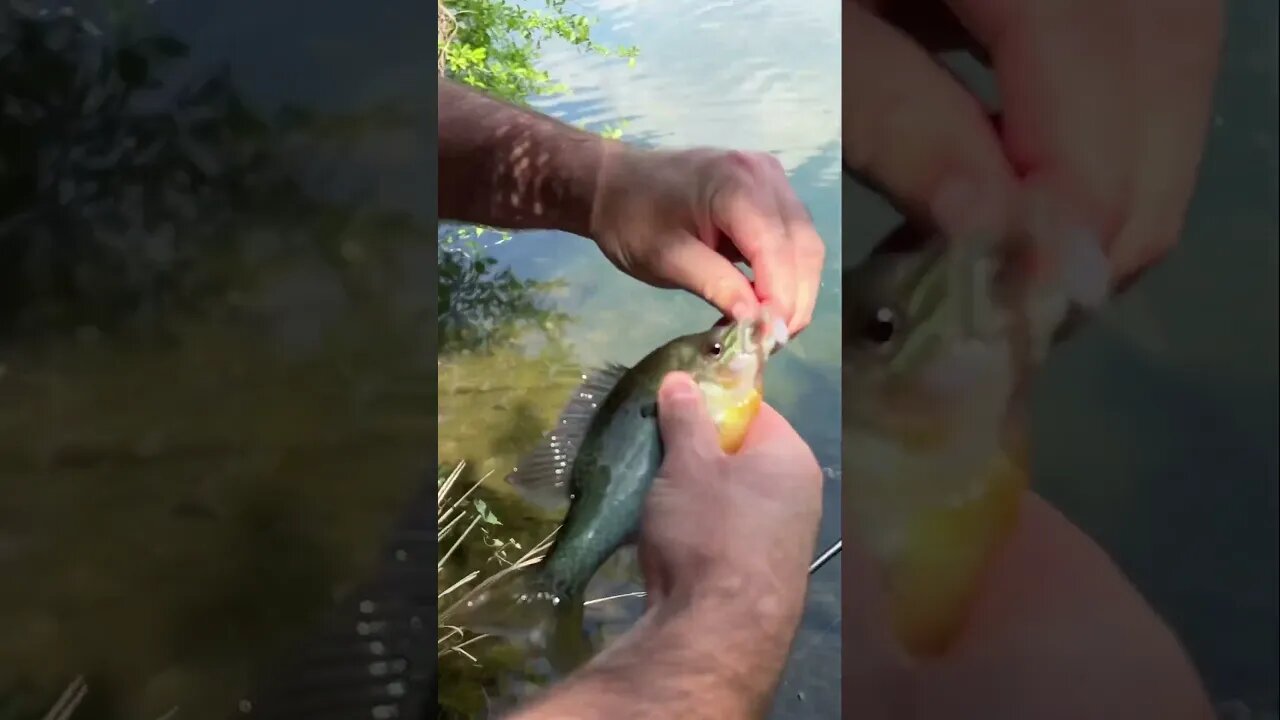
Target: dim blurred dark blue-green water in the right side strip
1155 429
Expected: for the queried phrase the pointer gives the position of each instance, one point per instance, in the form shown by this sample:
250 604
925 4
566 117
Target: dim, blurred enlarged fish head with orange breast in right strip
941 339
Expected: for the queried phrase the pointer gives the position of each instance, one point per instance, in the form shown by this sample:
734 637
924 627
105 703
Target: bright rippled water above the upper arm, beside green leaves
757 76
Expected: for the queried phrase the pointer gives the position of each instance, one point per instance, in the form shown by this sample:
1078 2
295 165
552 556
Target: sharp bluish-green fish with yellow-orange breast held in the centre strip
606 449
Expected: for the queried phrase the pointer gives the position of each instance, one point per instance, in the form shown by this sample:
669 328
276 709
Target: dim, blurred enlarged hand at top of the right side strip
1105 108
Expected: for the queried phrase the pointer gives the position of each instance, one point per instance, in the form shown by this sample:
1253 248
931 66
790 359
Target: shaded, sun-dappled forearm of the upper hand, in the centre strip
513 168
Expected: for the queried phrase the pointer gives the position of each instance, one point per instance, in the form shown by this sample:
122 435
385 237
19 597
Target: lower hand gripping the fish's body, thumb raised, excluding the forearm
734 525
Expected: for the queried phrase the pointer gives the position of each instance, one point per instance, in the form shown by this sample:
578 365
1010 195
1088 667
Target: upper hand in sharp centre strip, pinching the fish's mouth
680 220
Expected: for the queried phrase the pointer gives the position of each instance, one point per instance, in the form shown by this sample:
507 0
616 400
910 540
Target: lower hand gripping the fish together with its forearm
725 544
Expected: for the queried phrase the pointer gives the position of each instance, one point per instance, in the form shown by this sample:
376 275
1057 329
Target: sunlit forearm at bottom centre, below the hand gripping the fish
711 659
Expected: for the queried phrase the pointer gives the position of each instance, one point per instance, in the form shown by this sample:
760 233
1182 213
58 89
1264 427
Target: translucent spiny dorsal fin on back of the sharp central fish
543 475
